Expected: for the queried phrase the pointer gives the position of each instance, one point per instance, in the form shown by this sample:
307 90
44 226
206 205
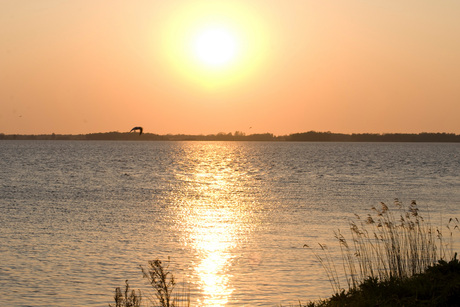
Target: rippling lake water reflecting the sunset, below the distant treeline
77 218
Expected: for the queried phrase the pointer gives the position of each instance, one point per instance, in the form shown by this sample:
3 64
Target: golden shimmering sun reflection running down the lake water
213 219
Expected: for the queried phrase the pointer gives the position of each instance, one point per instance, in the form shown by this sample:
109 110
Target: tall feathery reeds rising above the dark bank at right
386 245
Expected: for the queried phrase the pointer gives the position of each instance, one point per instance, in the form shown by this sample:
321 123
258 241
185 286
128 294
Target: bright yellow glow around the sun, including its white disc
214 43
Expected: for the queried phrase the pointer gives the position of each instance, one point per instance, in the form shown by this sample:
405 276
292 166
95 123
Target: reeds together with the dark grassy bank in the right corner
392 261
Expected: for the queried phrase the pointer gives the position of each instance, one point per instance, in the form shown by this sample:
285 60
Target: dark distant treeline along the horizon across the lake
311 136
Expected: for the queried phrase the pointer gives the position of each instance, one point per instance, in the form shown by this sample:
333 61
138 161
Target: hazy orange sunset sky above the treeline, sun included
202 67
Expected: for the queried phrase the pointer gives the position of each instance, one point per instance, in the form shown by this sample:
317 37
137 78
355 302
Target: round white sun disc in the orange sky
215 47
